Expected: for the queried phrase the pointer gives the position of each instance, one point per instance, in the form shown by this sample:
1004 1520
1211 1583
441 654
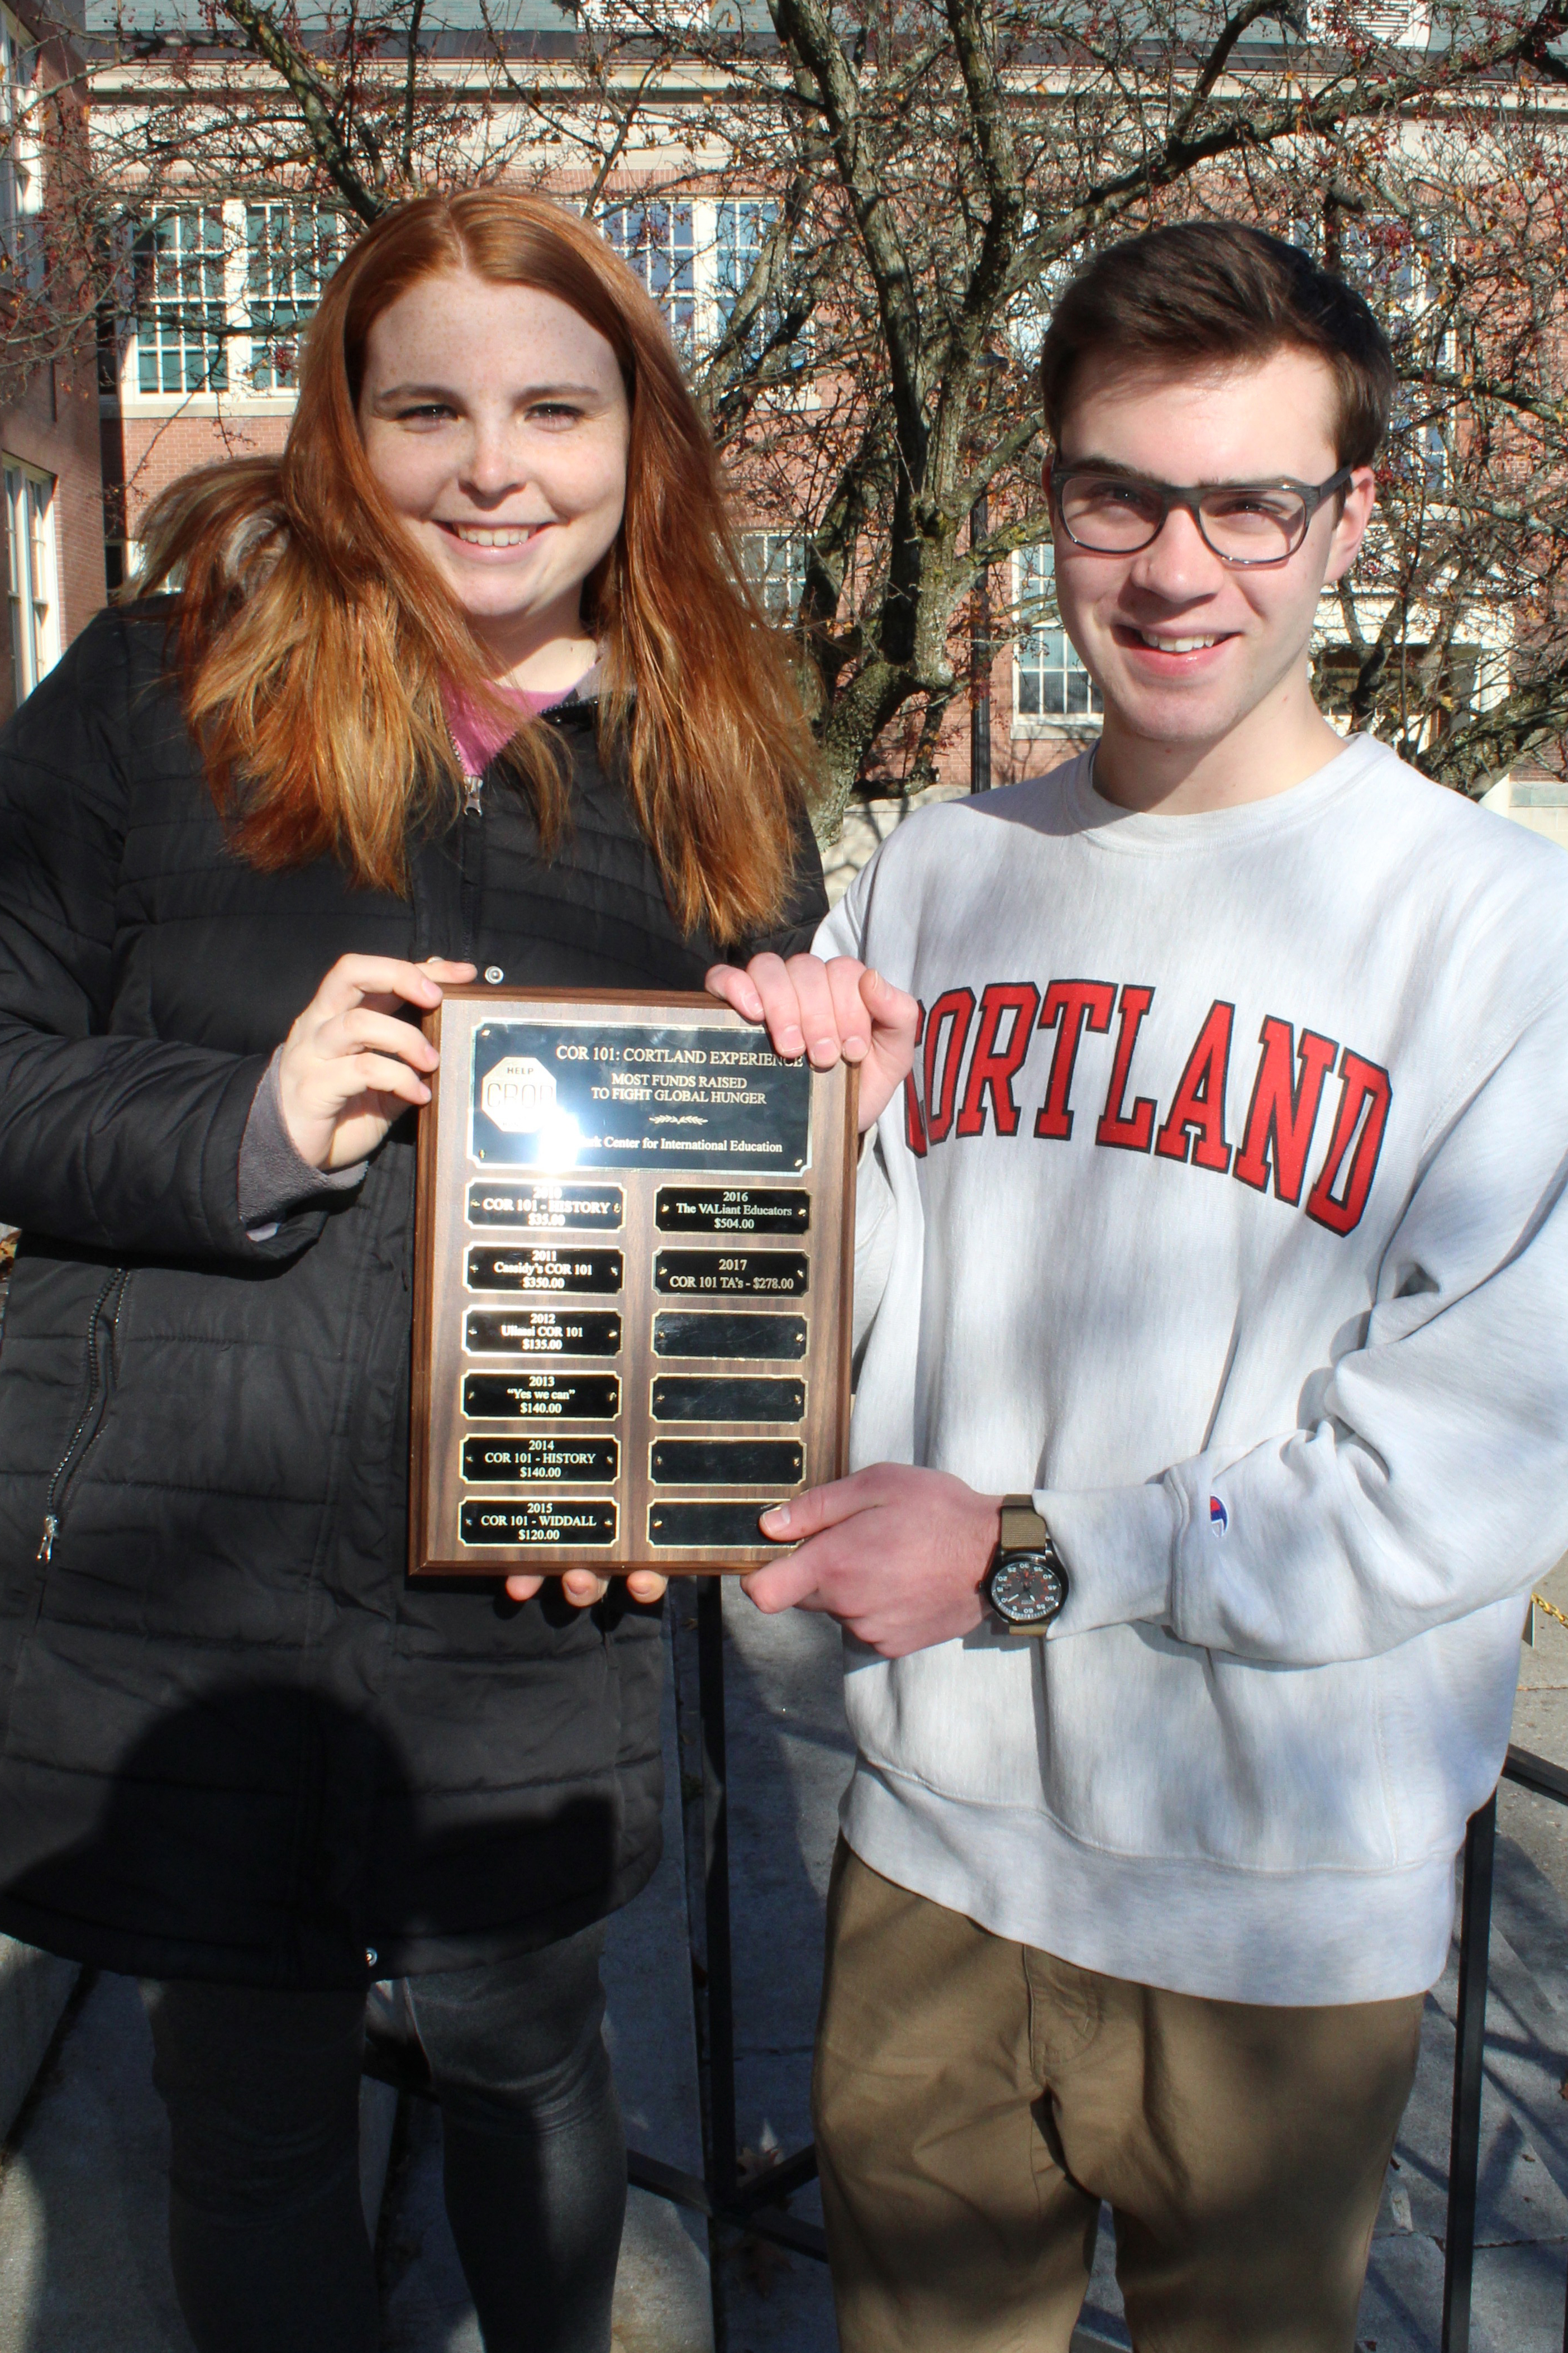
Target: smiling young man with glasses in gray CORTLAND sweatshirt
1214 1389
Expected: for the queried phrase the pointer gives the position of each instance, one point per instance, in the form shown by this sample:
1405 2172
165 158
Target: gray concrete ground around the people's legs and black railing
81 2185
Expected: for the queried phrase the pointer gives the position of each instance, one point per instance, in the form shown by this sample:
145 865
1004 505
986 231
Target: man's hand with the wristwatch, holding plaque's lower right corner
894 1554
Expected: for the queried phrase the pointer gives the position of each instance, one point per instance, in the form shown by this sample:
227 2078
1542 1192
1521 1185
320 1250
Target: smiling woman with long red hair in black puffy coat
464 684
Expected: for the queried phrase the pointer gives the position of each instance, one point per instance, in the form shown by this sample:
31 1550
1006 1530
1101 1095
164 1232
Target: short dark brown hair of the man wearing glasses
1219 291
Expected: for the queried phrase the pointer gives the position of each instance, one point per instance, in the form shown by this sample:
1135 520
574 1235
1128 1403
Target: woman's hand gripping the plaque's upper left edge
349 1065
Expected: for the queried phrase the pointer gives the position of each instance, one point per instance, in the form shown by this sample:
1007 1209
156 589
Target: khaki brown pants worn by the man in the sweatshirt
977 2100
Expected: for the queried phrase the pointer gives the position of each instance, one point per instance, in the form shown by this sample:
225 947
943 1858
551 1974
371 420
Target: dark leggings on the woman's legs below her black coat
264 2178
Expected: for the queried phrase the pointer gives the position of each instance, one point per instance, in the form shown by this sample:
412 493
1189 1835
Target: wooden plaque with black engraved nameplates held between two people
631 1286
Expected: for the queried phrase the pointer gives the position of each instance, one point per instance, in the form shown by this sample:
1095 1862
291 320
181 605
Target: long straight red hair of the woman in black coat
314 639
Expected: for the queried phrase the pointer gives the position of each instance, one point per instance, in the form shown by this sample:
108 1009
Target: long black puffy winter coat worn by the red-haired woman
236 1740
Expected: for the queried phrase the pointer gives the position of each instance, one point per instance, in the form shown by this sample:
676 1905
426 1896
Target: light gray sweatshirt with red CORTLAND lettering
1226 1213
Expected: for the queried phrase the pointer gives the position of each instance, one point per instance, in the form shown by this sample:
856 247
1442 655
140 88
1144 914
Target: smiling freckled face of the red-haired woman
497 422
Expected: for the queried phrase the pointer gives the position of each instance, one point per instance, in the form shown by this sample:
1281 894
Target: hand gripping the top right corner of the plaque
826 1011
